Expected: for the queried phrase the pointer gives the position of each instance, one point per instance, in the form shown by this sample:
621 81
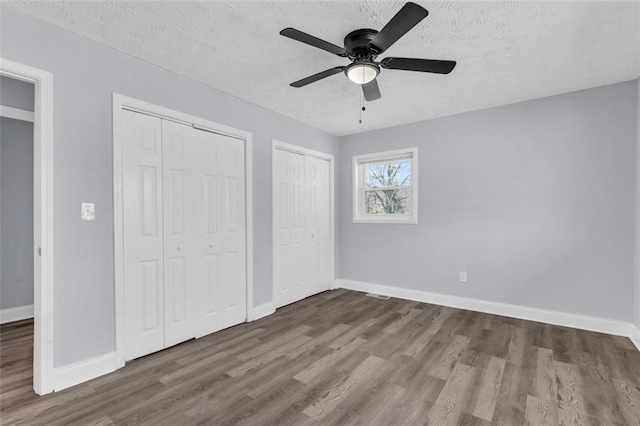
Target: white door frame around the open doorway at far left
42 219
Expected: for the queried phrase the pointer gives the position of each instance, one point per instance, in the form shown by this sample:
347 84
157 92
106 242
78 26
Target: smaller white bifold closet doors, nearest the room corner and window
302 225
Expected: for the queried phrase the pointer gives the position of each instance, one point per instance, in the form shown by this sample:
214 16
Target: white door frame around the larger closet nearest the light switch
120 102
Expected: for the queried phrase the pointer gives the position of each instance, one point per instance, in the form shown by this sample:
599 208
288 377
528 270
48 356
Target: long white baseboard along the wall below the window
583 322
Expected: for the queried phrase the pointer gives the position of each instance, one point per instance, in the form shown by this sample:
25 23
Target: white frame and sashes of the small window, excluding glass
359 188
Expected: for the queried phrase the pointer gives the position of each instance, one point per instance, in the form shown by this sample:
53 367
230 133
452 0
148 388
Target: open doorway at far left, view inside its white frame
16 233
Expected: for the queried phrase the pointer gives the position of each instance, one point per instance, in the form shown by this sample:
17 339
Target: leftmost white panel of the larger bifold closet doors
143 234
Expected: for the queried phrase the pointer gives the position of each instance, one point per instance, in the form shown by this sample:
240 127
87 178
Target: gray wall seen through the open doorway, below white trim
16 213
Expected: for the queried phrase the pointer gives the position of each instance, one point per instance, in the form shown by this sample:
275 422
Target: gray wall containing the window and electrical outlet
534 200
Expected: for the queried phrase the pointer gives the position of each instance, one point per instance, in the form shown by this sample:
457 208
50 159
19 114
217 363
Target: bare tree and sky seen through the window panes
387 188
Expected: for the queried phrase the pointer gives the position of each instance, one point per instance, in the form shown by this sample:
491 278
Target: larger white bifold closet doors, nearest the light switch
184 233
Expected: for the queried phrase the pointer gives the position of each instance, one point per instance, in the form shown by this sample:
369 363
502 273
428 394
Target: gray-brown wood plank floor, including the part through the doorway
343 358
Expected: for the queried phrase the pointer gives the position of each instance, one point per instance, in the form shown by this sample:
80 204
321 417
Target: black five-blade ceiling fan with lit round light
364 45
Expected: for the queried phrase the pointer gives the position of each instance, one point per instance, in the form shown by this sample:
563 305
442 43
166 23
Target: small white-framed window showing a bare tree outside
386 187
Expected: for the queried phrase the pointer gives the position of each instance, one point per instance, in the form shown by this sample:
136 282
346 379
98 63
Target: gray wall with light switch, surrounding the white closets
85 75
